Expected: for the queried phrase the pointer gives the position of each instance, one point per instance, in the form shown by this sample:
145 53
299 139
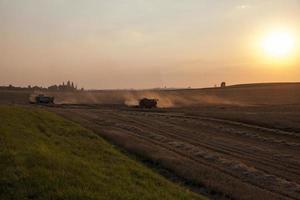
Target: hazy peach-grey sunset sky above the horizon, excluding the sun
143 43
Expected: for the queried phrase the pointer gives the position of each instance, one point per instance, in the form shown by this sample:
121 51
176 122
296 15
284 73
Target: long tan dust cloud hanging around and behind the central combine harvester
166 99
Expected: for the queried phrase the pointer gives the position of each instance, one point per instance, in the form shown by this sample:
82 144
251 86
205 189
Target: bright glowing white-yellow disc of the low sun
278 44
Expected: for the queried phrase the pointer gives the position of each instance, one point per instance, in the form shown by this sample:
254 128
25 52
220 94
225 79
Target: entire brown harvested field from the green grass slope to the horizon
238 142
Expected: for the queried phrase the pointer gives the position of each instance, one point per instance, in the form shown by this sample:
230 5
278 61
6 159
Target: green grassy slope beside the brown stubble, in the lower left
44 156
